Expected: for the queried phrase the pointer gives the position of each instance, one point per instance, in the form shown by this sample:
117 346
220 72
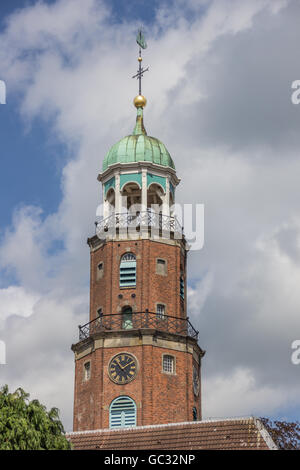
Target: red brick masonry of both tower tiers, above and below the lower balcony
160 397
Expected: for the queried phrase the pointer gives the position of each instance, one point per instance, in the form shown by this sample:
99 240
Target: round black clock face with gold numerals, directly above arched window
122 368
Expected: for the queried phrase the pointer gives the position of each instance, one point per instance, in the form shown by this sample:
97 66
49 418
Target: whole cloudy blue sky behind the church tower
219 97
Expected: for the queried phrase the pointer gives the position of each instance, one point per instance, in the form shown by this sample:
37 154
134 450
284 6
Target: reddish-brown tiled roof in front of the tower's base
226 434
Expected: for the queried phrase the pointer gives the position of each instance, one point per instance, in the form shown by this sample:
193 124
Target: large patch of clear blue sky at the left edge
30 164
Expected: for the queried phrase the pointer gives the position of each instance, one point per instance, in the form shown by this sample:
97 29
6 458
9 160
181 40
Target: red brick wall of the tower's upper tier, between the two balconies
151 288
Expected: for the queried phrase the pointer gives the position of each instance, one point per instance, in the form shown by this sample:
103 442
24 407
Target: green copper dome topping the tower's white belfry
138 147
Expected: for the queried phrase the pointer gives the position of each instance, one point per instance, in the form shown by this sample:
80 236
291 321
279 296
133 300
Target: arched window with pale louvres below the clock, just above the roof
122 413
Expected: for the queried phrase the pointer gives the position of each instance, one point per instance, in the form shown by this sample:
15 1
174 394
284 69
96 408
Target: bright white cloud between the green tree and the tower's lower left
38 354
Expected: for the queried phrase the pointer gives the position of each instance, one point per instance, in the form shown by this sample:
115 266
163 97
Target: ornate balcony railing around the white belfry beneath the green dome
125 222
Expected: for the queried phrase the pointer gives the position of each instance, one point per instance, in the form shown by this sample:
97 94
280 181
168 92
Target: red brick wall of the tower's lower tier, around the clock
160 397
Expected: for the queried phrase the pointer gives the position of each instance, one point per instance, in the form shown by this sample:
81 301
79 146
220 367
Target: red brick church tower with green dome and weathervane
137 361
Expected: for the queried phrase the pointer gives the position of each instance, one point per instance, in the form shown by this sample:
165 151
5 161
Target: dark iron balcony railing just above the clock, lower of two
136 321
